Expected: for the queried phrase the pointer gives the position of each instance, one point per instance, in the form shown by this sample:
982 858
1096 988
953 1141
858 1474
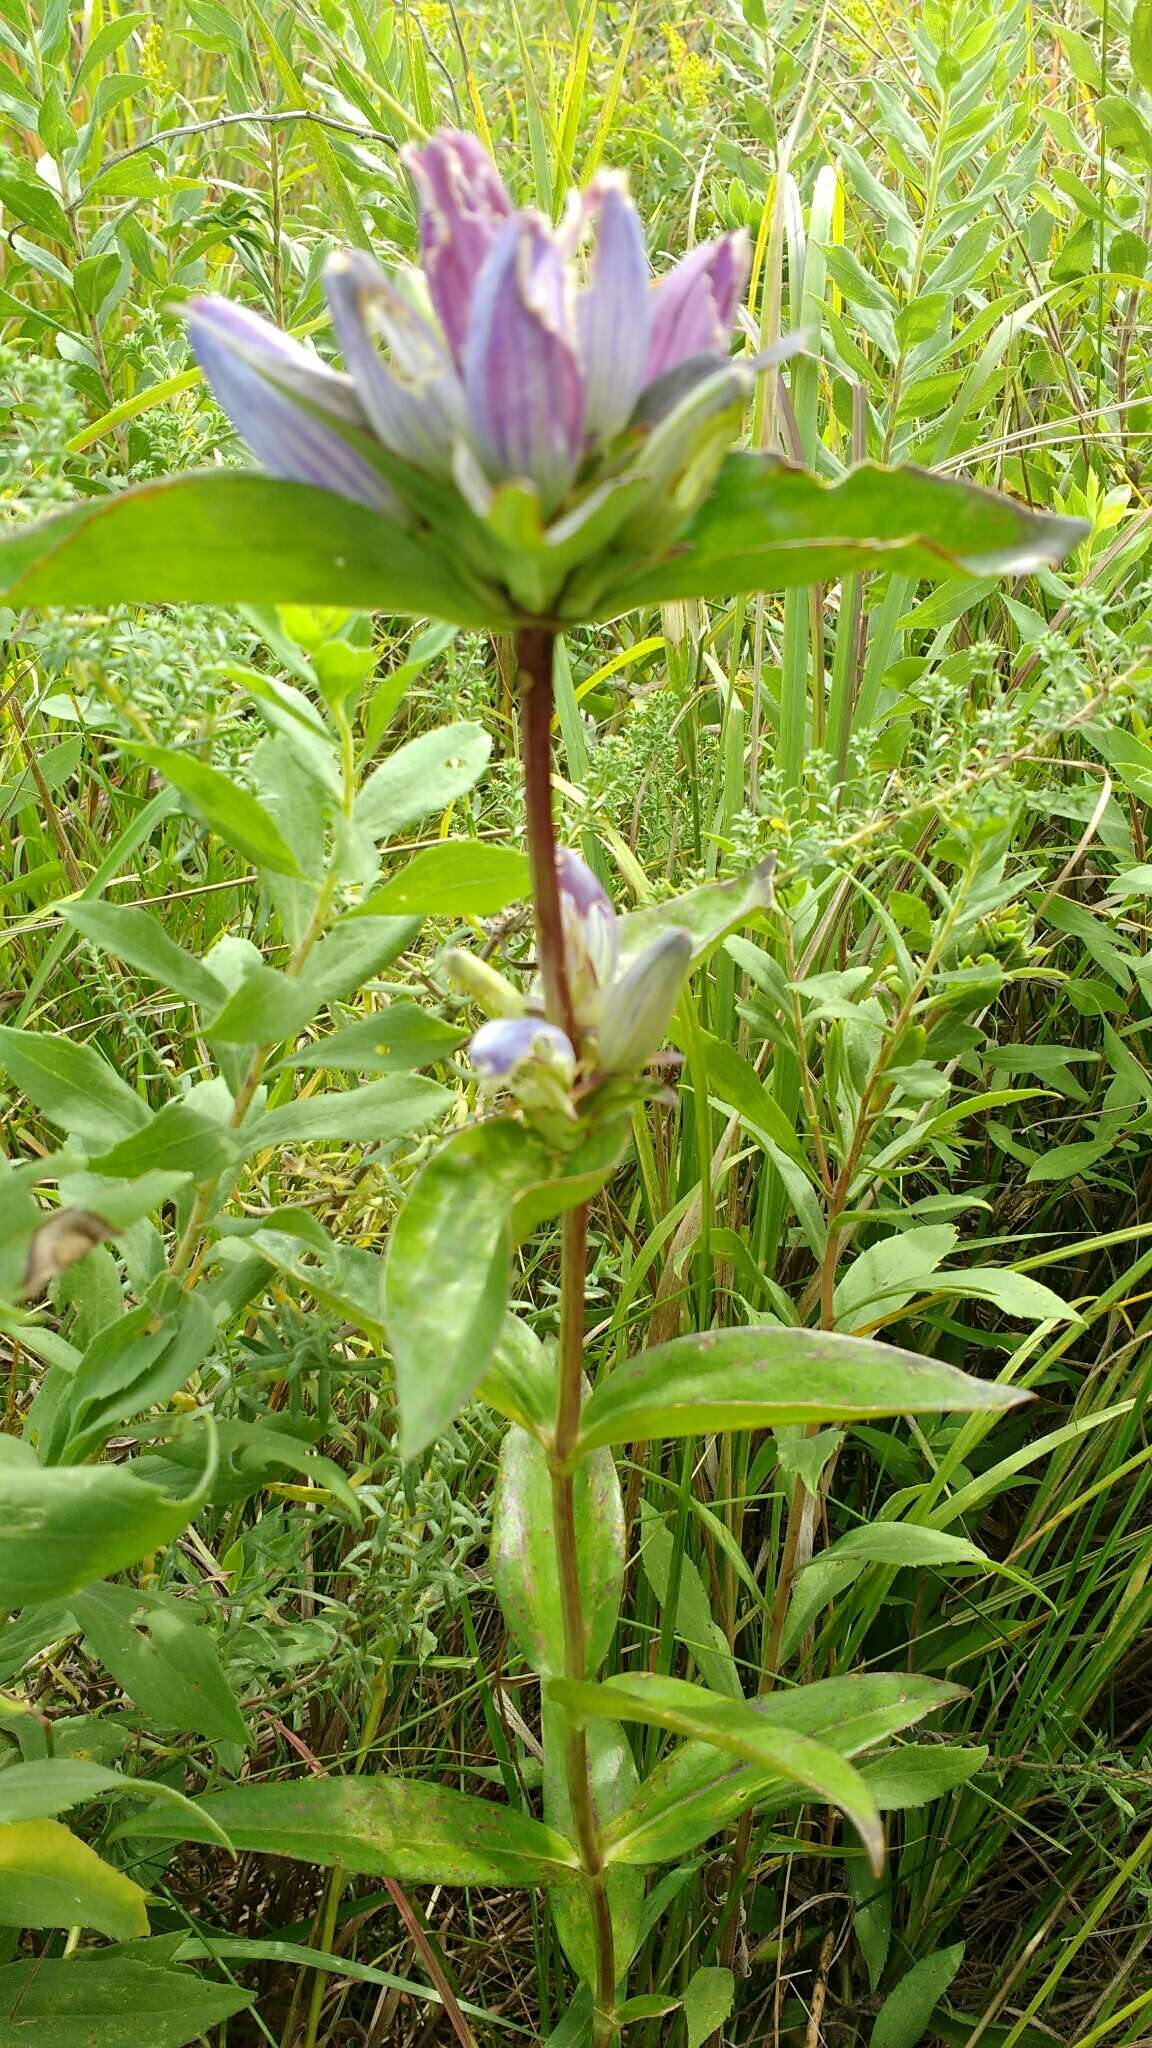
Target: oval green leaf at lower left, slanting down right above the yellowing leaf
165 1662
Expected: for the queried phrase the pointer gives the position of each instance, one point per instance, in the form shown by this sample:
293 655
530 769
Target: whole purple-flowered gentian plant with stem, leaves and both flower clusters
530 435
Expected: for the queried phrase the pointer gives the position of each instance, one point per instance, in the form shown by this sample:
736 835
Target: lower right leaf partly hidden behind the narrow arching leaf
694 1793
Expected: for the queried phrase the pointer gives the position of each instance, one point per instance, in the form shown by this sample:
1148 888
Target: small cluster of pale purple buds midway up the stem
622 1013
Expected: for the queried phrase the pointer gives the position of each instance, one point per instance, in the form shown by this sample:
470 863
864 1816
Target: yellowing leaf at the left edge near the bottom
52 1879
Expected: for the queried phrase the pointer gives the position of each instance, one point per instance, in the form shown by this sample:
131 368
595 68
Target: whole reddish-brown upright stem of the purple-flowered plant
534 658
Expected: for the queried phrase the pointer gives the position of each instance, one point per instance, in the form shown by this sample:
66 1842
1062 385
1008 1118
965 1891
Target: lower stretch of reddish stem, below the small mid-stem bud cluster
585 1828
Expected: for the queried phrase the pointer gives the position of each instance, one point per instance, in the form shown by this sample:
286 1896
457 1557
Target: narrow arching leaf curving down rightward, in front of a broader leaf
741 1732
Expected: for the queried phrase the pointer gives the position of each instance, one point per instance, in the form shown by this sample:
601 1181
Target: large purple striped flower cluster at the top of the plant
518 355
